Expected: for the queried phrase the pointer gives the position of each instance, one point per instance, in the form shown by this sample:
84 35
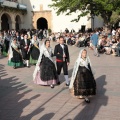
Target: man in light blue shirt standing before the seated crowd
94 41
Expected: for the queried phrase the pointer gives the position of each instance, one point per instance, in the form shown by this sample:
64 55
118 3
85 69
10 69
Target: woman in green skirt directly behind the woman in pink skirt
35 50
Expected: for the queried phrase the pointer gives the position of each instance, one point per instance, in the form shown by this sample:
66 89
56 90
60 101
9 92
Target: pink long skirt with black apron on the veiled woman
47 74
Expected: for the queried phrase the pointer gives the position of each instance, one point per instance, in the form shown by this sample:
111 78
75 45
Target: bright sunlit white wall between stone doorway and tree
61 22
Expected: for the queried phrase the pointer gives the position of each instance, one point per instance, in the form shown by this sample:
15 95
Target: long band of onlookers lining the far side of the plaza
108 42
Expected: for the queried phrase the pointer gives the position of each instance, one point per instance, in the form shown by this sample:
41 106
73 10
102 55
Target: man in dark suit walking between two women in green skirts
25 48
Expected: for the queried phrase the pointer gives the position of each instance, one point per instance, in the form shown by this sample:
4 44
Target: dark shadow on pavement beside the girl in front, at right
90 110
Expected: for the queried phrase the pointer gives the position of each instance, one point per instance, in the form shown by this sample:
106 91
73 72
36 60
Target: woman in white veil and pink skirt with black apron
45 71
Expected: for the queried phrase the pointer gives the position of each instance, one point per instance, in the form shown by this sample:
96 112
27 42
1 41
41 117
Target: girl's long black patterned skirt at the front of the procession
84 84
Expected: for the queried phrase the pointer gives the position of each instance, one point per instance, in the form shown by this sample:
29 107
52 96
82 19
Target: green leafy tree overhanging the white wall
104 8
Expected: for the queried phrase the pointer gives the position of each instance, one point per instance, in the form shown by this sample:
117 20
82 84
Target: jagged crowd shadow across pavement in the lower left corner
13 100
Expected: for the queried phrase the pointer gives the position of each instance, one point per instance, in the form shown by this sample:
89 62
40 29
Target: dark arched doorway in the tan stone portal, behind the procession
42 23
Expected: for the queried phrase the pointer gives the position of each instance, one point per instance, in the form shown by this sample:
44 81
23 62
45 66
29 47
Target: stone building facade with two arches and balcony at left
12 14
